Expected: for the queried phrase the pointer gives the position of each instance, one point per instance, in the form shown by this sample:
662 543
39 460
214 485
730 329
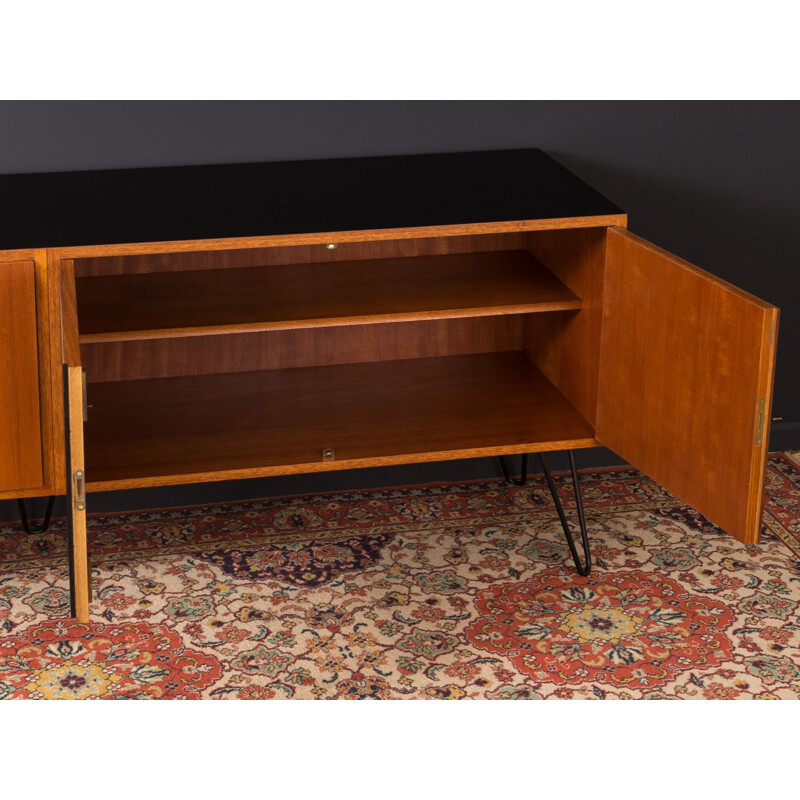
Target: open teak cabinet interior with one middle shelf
255 361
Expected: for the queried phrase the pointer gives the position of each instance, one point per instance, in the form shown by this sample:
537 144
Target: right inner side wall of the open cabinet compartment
566 346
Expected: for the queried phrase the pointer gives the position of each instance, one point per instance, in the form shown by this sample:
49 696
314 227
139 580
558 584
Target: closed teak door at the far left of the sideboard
20 422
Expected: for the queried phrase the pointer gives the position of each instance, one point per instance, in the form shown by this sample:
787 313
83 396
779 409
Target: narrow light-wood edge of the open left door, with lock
79 572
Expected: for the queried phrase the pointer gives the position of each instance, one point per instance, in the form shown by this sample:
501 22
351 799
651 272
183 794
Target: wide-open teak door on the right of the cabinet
685 390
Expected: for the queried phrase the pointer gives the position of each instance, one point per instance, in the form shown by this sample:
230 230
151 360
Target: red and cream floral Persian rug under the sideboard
439 591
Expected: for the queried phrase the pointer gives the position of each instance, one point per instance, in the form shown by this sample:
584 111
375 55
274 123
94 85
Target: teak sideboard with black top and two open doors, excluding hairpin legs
175 325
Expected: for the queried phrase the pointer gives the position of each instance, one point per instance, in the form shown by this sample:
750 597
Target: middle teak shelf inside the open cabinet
171 304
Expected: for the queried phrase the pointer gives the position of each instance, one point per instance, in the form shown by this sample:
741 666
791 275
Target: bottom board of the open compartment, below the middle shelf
249 424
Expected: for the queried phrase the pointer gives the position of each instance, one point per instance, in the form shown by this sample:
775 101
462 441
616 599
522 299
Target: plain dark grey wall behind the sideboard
714 182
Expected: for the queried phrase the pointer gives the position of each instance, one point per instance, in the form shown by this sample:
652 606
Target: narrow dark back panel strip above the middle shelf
298 254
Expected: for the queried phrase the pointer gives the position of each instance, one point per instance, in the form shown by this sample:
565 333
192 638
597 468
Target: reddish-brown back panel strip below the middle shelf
236 352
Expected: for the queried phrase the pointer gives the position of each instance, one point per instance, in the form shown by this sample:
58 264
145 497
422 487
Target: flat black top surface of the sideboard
157 204
